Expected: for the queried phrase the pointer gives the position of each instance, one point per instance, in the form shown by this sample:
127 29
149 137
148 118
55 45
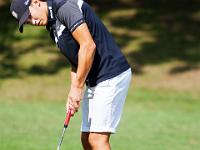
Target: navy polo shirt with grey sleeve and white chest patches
108 60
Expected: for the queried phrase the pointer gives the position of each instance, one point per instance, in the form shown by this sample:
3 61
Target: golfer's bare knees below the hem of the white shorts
95 141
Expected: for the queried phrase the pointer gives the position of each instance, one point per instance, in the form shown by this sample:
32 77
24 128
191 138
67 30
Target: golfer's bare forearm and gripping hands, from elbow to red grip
85 57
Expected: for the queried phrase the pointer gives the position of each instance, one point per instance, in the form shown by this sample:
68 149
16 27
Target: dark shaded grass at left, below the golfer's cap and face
10 54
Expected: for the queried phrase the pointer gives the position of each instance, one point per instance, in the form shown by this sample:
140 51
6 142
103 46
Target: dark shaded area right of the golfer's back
174 26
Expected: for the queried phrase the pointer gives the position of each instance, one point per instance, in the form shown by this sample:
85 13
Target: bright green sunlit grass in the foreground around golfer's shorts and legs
150 121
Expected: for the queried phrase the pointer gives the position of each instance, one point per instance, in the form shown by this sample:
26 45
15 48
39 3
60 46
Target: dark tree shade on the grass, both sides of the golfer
174 26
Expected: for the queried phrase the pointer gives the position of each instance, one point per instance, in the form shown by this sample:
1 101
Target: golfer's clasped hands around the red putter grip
74 99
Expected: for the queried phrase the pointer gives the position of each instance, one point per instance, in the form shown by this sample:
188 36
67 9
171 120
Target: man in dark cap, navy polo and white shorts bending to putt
95 60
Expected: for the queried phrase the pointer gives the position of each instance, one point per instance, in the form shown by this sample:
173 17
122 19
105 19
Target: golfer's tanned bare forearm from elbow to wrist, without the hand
85 60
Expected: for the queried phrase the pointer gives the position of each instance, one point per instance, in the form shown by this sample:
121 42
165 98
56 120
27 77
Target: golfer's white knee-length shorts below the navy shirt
103 104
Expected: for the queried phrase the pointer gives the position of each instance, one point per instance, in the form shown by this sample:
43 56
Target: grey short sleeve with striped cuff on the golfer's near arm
70 14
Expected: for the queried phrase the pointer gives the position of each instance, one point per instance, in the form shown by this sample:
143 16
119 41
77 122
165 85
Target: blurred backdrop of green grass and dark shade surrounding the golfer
160 39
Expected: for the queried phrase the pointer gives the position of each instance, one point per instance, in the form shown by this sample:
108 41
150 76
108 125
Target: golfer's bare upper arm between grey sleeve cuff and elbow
82 35
